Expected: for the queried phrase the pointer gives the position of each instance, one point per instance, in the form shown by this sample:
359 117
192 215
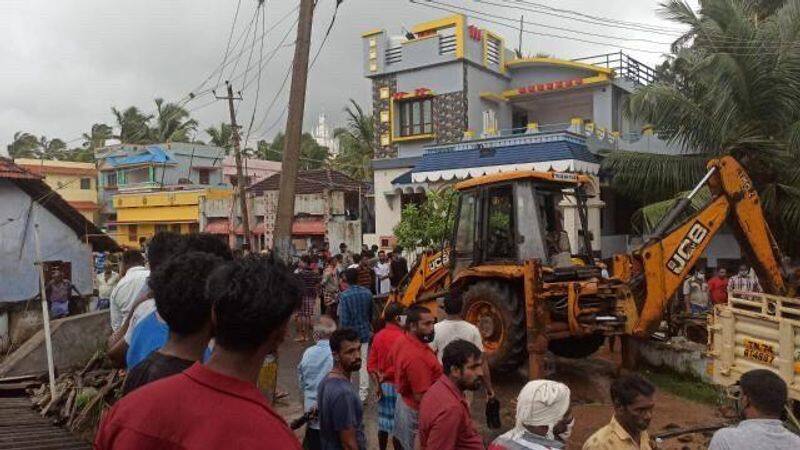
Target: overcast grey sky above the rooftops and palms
65 63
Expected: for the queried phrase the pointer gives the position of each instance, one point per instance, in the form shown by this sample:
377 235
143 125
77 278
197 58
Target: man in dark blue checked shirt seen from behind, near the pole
355 311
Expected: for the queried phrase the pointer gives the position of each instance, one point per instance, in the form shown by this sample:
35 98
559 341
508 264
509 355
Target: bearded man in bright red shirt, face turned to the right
416 369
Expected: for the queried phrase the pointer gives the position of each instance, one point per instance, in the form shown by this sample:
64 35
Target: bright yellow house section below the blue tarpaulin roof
144 214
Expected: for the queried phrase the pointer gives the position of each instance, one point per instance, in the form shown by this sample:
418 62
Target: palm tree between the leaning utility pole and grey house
356 143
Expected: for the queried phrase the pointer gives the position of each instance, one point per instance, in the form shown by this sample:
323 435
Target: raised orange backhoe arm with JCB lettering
666 259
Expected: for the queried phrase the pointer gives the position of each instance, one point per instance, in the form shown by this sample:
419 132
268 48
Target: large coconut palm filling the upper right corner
735 90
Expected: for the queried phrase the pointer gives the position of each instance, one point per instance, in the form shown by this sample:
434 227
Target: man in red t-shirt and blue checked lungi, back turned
381 368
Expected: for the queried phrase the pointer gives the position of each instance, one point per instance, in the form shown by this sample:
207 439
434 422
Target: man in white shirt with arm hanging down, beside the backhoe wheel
454 327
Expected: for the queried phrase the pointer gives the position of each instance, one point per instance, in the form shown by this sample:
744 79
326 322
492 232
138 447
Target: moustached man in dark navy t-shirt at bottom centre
341 414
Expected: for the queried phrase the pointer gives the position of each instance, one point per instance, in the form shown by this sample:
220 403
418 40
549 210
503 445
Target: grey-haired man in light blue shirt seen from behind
317 361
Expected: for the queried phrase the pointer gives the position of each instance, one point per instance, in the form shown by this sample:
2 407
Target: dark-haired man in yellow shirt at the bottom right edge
632 396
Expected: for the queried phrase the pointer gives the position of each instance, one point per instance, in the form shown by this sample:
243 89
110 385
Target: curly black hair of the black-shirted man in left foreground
178 286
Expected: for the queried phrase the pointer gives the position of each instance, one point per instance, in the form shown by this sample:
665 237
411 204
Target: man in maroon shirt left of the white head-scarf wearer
444 419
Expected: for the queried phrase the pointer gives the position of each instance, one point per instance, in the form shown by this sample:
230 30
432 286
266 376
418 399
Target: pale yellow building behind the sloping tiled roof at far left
76 182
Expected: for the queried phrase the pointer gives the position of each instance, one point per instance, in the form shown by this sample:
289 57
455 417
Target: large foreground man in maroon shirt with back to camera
217 405
